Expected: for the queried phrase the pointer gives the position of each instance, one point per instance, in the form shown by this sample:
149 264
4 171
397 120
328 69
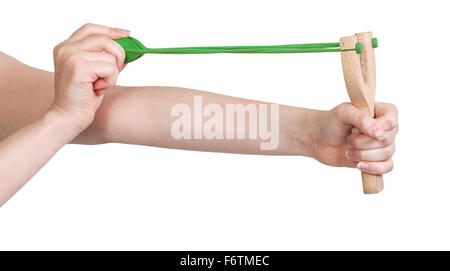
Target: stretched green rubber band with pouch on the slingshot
134 49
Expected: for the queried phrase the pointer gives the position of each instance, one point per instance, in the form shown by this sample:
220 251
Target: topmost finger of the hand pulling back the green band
96 29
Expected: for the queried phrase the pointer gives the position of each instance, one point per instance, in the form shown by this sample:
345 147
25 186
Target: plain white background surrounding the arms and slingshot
115 196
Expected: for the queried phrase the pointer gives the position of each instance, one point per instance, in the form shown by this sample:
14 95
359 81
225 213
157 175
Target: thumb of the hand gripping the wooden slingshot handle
364 122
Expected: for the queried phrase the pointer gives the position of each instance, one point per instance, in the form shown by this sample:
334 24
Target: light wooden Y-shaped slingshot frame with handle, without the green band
360 77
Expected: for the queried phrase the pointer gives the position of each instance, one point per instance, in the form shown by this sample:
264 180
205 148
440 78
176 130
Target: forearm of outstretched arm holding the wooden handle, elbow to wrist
142 115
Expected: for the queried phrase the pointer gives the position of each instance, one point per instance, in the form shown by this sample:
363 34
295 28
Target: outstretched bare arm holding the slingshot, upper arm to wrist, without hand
138 115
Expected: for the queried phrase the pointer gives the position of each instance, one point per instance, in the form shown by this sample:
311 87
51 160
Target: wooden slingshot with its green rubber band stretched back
358 65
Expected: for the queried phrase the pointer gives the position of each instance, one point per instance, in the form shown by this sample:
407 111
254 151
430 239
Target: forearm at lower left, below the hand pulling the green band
27 150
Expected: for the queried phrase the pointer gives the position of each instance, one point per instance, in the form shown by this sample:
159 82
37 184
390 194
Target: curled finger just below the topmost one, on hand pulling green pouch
98 43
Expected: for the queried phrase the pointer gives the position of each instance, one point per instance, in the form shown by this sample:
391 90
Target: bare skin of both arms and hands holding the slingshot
81 104
